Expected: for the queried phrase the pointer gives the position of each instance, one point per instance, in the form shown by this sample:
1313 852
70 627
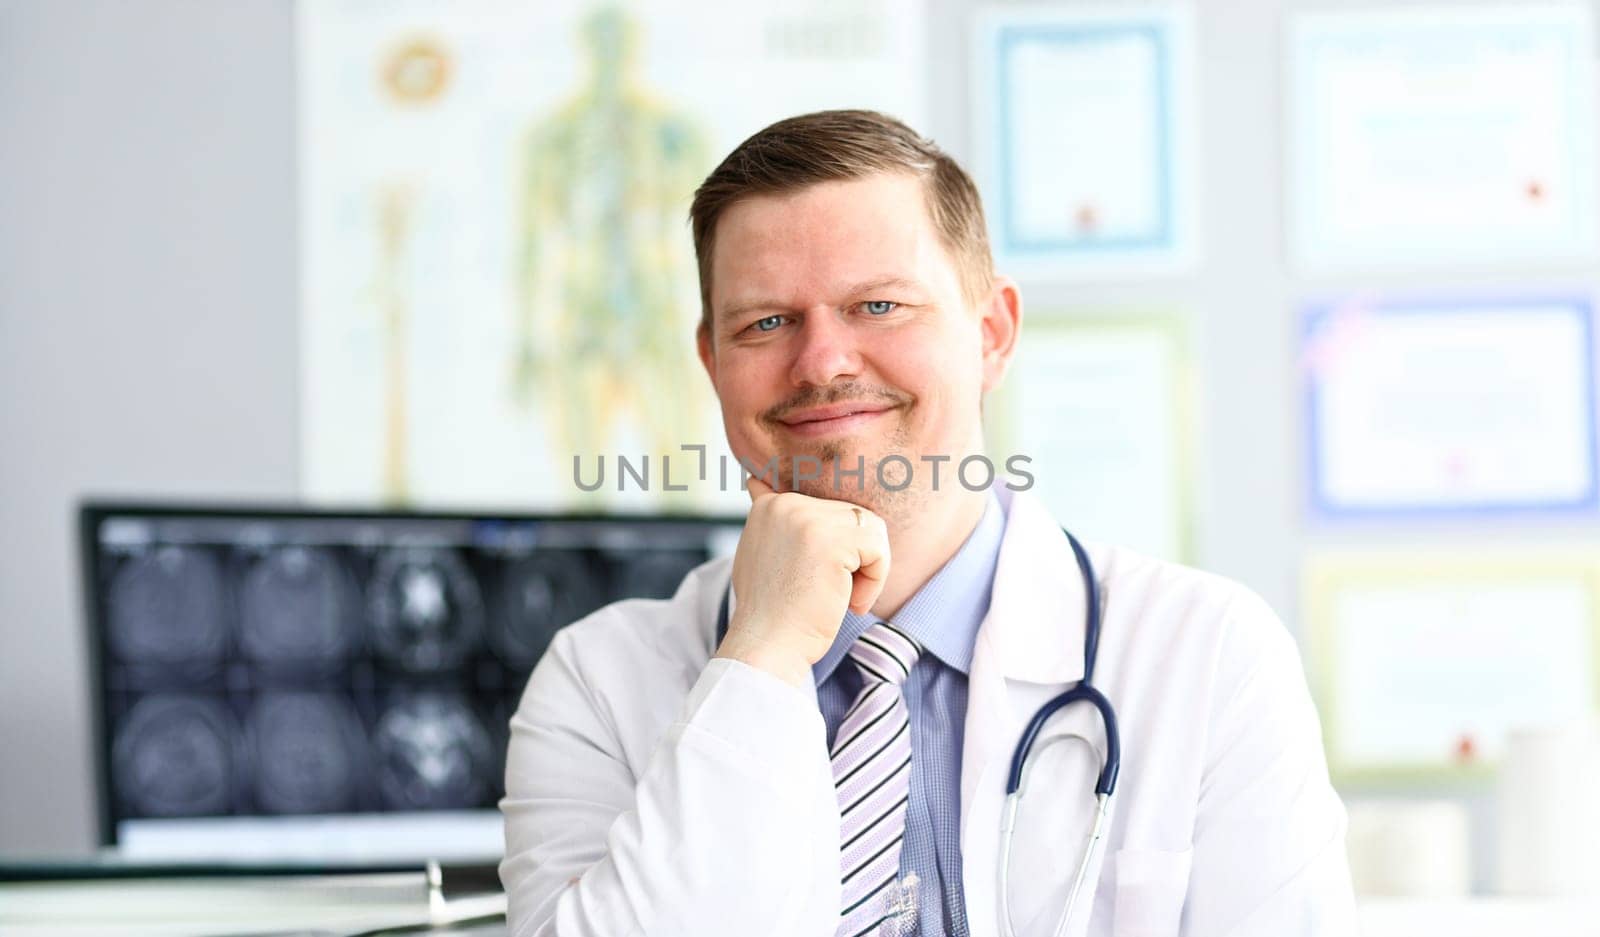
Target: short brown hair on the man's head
846 145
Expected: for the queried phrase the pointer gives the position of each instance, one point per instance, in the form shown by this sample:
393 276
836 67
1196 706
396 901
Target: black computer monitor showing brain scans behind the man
334 687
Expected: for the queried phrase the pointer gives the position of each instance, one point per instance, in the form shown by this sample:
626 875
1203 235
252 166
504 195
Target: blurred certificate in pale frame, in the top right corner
1442 135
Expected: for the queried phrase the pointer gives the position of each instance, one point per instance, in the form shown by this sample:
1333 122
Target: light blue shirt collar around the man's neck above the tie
945 615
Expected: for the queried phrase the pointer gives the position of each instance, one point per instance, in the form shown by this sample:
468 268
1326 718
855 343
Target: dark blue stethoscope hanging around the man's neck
1084 692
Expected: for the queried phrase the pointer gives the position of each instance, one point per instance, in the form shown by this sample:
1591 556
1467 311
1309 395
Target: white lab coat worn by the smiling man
657 792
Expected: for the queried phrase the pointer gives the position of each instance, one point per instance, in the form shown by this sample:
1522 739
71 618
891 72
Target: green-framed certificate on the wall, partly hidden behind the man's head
1100 407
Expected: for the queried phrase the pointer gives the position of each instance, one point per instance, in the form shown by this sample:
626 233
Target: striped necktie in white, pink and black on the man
873 776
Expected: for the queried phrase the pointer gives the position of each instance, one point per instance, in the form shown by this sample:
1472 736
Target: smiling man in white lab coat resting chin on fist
828 754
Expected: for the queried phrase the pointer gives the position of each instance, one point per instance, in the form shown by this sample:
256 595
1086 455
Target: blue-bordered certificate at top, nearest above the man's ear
1086 137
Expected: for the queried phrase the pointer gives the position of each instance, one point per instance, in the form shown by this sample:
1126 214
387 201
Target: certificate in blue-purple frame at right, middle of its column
1450 407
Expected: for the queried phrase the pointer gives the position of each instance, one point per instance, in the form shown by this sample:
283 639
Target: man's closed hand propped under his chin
801 564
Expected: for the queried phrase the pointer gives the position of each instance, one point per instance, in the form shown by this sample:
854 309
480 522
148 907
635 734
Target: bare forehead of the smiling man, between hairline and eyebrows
802 247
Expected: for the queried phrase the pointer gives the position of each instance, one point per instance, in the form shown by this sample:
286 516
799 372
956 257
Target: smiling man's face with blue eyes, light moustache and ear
839 330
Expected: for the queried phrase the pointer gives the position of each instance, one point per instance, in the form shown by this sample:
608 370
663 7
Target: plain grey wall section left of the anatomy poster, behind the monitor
148 322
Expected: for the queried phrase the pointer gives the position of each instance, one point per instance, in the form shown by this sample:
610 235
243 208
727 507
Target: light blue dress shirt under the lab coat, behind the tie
943 618
